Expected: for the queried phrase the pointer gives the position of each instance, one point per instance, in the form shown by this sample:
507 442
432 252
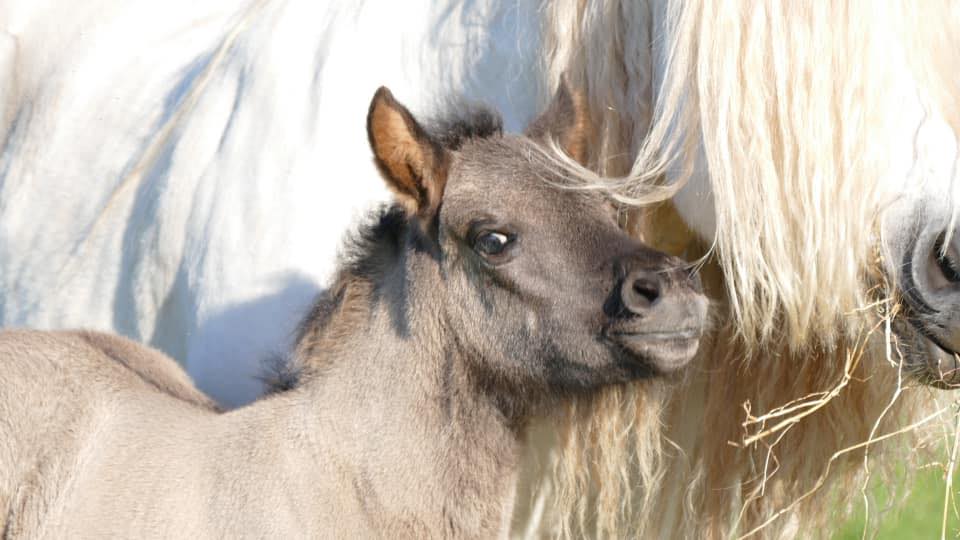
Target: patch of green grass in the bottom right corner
919 517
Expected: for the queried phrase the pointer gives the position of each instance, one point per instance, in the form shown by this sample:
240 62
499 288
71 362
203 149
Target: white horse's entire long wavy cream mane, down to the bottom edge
783 105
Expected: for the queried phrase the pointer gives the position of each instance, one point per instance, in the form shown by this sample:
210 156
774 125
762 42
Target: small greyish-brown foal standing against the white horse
483 298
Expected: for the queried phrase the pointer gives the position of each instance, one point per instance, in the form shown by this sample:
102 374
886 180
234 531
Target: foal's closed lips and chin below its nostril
667 351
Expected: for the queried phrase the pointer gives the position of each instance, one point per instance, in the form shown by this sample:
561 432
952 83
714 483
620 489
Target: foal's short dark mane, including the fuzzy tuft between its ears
369 251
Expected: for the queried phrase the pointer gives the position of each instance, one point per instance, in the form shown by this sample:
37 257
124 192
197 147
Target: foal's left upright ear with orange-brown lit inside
413 165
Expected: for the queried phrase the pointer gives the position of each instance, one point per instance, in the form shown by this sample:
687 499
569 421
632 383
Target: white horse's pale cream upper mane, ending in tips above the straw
786 106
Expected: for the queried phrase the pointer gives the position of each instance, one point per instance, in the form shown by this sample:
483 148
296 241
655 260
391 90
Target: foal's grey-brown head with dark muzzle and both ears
537 284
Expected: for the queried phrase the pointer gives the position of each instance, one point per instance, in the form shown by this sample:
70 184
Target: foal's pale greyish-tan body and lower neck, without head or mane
131 460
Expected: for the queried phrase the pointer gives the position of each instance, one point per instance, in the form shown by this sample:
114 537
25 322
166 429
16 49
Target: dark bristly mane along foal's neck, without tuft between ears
365 254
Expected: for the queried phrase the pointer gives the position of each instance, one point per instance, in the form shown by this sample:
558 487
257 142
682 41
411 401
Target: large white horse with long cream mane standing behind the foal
156 162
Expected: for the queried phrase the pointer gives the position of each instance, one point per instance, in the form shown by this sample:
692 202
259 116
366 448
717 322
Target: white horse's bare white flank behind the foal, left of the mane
167 169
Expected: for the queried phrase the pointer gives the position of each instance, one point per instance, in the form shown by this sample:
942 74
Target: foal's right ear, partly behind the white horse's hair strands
567 120
